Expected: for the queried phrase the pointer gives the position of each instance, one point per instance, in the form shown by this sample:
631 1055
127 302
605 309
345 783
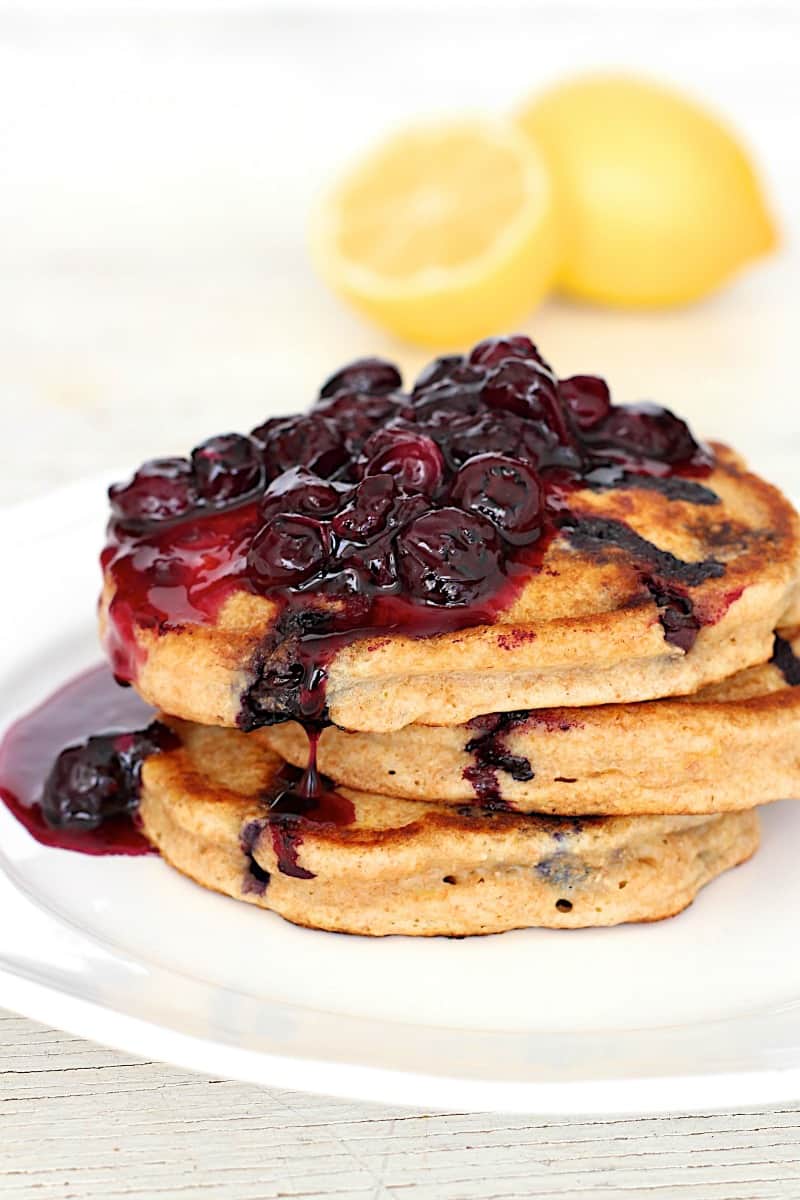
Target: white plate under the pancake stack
699 1012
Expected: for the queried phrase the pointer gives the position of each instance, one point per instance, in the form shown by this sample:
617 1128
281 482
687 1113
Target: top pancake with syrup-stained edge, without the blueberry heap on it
600 620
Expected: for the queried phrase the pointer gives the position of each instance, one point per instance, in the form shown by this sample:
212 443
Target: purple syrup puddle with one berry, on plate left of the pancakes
70 788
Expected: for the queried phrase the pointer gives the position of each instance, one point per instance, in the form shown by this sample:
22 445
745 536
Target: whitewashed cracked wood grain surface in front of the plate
80 1123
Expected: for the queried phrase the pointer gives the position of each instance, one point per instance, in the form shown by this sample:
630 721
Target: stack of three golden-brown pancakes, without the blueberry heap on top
574 759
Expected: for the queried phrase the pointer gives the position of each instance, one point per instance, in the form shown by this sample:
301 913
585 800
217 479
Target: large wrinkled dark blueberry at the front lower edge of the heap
449 557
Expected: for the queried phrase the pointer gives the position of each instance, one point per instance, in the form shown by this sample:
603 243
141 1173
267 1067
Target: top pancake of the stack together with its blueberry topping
492 541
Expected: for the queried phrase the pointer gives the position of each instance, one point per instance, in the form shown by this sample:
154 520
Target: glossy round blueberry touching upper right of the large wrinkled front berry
504 490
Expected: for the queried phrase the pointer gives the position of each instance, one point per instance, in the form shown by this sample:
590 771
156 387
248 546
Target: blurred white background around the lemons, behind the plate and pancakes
157 169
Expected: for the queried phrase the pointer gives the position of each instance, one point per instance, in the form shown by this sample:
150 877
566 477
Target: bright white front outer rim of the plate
398 1088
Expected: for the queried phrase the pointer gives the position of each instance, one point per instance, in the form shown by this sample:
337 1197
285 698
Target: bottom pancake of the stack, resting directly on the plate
380 866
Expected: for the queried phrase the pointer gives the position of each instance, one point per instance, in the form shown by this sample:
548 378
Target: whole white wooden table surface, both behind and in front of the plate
157 164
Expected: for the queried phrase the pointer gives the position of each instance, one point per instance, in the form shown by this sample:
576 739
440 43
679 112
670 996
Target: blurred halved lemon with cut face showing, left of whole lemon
442 235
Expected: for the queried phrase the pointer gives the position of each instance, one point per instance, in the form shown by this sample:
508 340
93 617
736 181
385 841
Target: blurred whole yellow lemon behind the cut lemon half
659 203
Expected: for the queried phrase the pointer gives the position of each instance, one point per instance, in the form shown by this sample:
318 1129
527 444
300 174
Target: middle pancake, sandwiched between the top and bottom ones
732 746
